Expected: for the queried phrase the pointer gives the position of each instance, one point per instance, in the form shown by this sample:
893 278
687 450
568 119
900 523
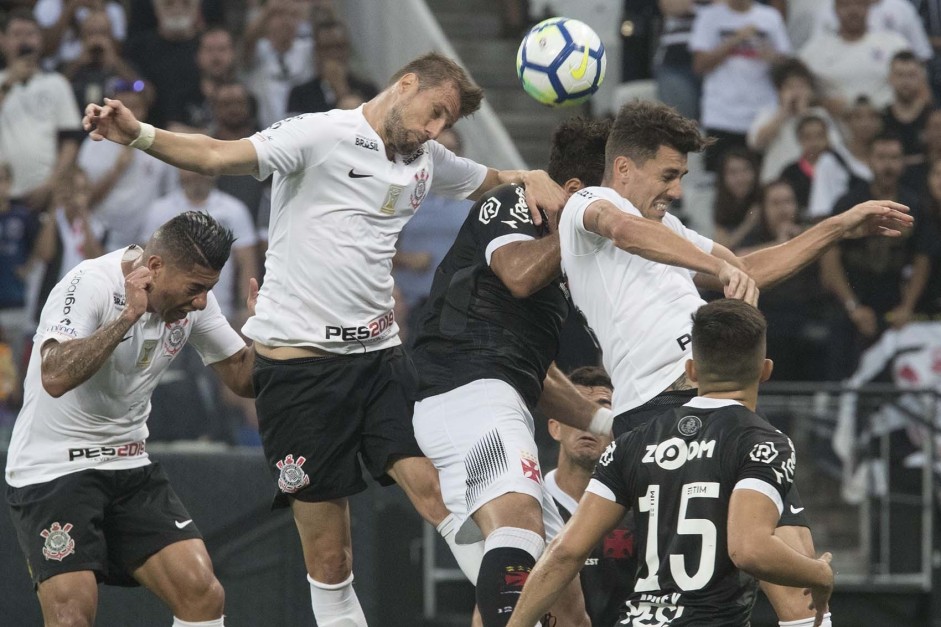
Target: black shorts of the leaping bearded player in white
319 416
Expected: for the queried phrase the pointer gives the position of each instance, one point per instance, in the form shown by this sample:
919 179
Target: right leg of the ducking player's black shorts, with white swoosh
146 518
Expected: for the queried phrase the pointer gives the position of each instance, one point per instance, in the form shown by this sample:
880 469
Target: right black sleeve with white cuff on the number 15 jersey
766 455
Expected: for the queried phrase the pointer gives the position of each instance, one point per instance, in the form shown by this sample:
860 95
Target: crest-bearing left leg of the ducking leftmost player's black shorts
59 524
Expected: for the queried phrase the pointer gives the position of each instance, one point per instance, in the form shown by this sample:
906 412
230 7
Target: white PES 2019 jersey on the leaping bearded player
338 205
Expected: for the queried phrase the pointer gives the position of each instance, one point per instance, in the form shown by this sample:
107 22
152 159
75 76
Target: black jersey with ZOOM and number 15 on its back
678 473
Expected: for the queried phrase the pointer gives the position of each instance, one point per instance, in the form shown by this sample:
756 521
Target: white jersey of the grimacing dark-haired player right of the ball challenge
639 309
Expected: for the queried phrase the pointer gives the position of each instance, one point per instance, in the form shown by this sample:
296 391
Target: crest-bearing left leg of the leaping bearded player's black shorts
310 420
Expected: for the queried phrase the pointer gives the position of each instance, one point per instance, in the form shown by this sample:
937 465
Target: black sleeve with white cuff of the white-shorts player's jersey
502 217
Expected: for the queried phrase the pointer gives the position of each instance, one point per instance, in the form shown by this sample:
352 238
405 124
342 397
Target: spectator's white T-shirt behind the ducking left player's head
231 213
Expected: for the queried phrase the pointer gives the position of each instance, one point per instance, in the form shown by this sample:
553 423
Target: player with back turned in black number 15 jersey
707 482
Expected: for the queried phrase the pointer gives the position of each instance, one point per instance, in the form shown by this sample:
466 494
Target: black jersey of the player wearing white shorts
472 327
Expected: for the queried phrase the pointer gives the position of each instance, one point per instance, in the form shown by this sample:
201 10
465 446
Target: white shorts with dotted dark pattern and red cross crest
480 437
